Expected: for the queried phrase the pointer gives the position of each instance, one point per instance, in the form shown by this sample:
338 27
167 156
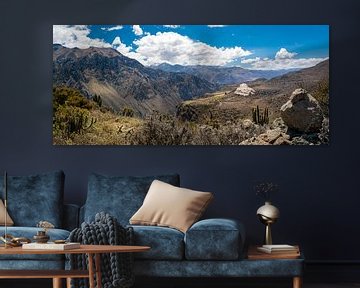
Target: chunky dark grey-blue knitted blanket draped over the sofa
116 268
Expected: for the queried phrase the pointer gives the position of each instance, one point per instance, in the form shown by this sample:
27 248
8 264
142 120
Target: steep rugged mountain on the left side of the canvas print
124 82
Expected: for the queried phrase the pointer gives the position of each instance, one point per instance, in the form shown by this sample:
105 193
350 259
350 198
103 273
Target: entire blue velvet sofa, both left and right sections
210 248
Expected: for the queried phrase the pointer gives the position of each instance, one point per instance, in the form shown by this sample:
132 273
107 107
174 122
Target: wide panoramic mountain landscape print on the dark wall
190 84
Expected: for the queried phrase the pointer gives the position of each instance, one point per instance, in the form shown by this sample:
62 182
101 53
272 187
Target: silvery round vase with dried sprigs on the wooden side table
268 213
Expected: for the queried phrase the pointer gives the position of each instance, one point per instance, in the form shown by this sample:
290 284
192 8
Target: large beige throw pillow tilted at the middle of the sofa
170 206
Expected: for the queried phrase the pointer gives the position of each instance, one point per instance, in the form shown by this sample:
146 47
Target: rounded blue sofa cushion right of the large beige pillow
214 239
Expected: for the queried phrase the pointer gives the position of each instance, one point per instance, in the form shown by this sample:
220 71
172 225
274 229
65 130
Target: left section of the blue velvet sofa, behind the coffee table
32 199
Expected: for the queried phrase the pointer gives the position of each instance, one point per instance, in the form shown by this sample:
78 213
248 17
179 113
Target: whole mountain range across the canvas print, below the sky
124 82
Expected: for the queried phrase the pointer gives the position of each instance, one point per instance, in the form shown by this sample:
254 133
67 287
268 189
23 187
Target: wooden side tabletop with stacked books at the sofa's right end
274 252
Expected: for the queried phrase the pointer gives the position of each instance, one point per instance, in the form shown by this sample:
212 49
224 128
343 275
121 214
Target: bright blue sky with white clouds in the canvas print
264 47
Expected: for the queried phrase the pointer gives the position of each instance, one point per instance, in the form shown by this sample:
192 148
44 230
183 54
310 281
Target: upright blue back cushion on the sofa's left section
35 198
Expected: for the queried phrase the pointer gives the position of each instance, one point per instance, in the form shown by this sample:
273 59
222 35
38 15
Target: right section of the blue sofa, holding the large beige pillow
210 248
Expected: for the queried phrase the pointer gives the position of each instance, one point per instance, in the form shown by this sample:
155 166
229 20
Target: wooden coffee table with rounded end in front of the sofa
57 275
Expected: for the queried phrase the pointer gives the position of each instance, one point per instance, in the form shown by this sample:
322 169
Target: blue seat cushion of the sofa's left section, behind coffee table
29 232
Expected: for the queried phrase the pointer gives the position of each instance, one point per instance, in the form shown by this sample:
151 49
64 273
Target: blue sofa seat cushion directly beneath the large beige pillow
165 243
